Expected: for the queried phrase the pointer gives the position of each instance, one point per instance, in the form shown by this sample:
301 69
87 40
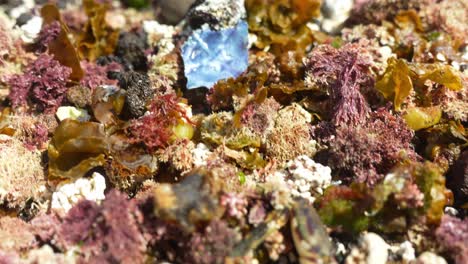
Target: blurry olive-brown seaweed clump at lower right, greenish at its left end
411 193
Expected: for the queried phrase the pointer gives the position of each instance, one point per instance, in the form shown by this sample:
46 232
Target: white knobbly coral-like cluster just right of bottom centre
307 178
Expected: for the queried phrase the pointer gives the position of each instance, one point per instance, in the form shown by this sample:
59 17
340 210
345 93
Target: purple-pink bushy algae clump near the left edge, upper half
43 82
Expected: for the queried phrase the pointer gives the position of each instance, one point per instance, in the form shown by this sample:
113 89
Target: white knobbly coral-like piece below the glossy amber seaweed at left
70 193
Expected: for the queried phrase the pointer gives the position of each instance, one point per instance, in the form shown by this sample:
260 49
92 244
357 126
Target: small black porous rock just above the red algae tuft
139 92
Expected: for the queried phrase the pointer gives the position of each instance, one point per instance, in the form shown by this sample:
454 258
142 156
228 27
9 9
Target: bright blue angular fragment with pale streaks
210 56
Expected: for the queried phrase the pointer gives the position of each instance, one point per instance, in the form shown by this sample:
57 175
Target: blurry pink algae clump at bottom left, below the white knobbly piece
108 233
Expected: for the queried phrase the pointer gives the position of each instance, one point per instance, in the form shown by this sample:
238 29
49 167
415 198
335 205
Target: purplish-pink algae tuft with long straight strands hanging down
343 72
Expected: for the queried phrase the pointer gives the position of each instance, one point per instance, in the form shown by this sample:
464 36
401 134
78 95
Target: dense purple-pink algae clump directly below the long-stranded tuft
370 151
